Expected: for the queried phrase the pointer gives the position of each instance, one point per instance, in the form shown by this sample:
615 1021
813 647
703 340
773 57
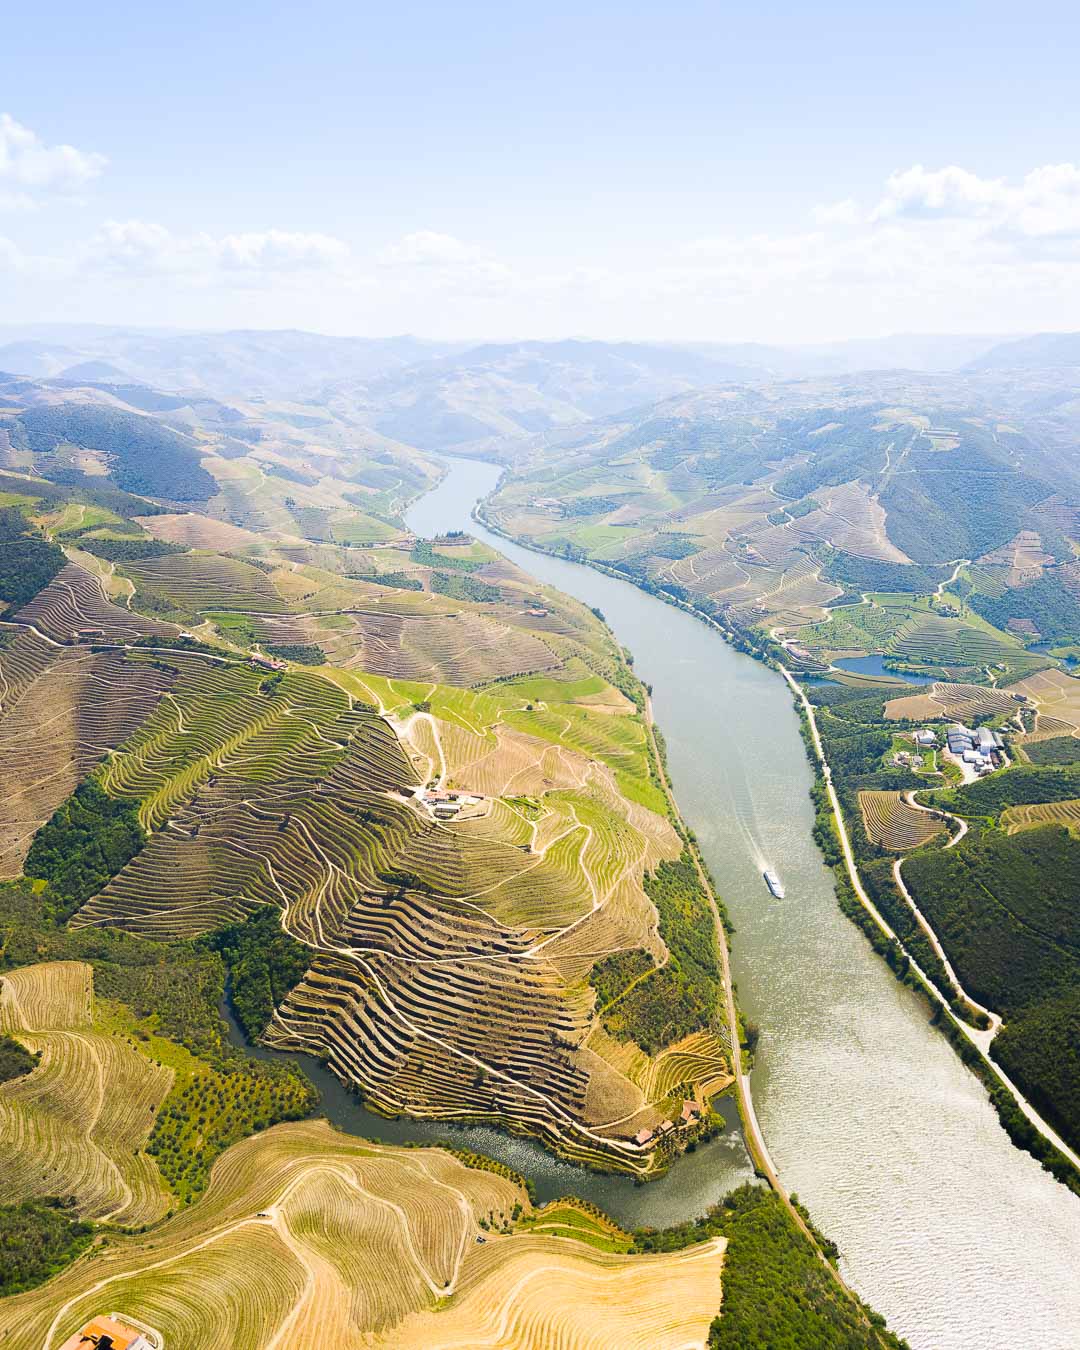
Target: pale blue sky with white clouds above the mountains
709 172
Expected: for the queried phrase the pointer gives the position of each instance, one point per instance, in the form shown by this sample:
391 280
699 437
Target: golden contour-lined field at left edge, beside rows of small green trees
78 1124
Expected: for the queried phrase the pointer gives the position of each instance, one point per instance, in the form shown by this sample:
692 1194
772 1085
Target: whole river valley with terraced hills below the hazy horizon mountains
288 727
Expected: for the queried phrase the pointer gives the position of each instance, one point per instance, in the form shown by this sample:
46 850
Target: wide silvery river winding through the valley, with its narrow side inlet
959 1239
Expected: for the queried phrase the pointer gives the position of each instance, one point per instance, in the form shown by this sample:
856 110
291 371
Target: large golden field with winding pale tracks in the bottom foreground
311 1239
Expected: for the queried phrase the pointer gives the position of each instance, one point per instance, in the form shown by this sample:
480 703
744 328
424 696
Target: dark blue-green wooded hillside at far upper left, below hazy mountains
146 457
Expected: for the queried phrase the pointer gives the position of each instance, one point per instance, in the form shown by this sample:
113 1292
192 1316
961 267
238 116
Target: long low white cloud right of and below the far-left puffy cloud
148 249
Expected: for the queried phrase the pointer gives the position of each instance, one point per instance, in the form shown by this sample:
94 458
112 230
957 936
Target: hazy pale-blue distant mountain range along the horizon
484 399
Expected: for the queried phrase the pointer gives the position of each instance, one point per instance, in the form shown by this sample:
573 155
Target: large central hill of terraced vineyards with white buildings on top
448 958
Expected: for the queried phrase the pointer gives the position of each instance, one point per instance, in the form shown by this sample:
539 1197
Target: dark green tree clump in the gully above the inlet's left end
264 965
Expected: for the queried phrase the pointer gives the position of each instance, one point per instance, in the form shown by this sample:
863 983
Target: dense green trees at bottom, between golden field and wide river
777 1291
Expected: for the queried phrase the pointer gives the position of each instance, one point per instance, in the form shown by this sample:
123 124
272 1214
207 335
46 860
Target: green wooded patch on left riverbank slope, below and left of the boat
685 994
